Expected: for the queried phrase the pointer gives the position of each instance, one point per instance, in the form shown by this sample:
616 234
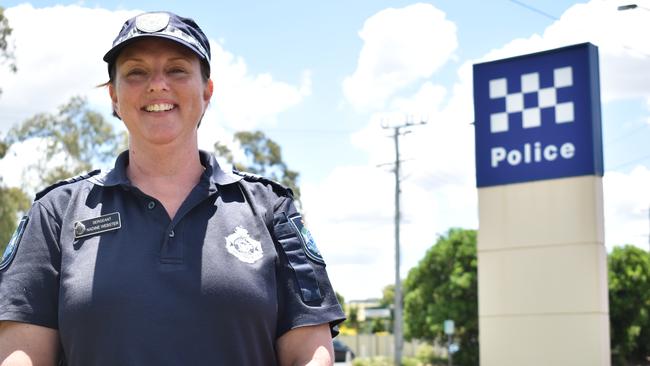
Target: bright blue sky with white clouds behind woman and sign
322 78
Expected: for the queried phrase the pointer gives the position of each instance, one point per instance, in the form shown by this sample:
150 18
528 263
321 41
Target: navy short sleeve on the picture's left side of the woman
29 283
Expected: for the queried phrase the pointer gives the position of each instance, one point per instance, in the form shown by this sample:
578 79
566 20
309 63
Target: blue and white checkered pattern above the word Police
532 114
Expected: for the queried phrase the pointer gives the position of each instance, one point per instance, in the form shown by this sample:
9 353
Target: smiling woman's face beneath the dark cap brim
159 92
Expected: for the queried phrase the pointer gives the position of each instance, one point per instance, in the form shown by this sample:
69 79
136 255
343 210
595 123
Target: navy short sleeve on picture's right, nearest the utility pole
305 295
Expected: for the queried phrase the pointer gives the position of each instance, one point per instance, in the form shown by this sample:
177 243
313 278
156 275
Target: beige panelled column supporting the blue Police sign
542 274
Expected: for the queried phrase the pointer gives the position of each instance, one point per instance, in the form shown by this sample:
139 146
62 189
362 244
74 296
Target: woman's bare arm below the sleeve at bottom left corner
24 344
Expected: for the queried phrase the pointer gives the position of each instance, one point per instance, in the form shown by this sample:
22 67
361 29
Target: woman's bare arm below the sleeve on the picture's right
311 345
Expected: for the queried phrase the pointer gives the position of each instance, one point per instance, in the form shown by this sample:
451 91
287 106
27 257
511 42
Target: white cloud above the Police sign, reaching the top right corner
624 51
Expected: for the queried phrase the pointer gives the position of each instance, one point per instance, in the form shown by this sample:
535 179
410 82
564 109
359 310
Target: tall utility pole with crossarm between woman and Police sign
397 321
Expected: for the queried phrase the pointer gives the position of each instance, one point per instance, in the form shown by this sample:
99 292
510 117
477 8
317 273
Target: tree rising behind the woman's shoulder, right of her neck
263 157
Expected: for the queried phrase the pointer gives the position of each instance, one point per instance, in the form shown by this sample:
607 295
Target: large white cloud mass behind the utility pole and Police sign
439 186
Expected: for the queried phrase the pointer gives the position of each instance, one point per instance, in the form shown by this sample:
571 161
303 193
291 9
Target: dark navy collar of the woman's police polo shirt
213 172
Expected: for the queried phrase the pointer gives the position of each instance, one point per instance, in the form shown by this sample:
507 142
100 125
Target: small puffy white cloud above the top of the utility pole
401 46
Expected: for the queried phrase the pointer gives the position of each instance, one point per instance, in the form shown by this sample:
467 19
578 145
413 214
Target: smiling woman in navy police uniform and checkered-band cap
165 259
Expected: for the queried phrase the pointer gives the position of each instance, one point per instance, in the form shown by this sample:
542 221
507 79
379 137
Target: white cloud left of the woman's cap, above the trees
59 54
